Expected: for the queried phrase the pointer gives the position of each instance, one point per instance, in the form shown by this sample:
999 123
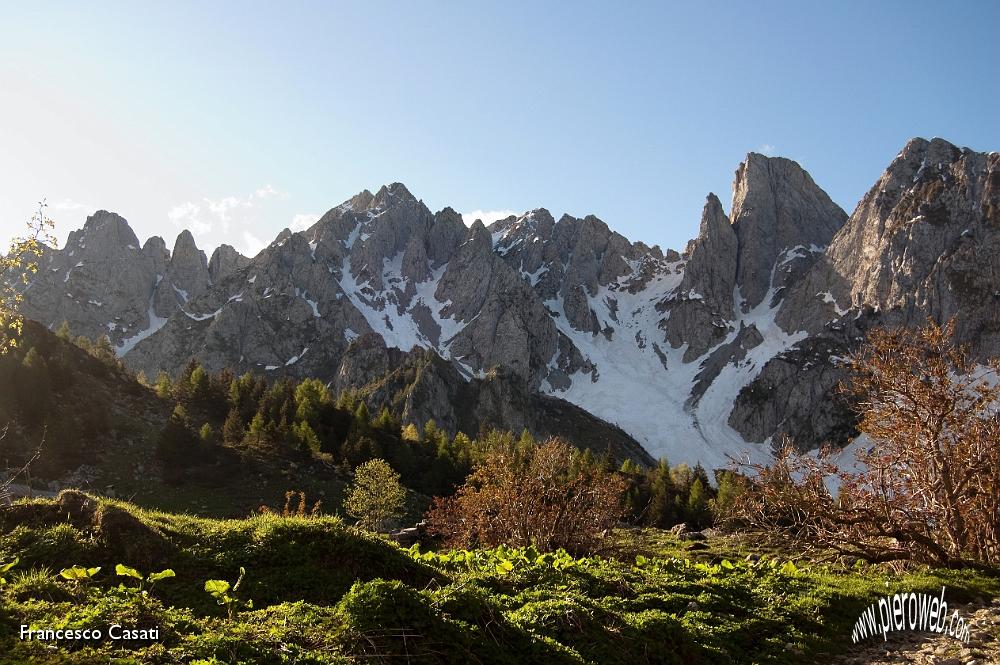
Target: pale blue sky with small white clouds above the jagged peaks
239 119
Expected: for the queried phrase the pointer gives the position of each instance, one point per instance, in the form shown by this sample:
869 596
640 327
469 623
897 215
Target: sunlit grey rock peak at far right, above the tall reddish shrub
923 243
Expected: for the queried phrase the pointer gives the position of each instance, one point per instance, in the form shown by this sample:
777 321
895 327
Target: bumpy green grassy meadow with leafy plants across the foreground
323 592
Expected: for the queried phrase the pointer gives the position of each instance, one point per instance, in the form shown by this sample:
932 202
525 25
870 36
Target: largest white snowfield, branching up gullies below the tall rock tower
661 418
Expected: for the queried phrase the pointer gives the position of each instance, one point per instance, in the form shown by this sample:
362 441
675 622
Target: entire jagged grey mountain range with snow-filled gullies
697 355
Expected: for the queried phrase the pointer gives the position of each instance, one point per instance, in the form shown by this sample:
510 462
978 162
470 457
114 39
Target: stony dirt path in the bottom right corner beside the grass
924 648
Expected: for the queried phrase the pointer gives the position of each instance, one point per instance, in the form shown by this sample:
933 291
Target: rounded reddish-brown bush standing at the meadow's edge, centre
522 494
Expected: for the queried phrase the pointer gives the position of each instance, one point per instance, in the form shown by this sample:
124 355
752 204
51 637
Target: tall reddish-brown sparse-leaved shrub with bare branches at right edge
927 488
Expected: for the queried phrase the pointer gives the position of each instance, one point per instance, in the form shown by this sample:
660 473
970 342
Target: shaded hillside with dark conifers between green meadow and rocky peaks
221 444
